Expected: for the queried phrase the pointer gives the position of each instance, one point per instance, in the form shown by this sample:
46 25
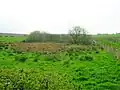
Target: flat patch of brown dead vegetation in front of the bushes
37 46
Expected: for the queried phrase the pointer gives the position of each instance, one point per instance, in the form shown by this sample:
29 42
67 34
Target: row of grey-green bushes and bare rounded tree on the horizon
76 35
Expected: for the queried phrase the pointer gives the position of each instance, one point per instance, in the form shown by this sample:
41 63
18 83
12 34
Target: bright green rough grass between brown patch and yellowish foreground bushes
101 73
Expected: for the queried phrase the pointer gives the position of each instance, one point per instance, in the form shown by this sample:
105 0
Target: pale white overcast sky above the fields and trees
58 16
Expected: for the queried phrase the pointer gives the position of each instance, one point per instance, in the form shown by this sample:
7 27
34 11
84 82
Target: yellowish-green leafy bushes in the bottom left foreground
32 80
